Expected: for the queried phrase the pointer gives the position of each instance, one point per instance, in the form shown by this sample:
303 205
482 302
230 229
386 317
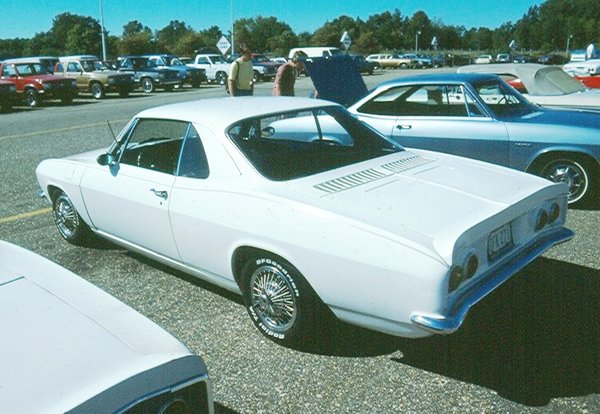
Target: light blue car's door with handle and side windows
440 118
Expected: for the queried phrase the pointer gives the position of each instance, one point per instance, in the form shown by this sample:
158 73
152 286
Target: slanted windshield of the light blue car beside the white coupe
502 99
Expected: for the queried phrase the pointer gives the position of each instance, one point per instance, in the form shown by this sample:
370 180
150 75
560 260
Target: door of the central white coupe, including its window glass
130 199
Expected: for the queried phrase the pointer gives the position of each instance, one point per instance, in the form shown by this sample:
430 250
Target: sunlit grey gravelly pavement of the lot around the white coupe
532 346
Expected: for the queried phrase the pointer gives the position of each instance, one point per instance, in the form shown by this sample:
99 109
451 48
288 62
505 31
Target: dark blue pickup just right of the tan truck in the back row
147 76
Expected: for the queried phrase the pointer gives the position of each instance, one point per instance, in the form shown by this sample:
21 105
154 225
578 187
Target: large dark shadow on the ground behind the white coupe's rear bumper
534 339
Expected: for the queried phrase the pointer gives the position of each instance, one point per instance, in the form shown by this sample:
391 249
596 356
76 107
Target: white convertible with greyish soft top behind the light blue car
543 85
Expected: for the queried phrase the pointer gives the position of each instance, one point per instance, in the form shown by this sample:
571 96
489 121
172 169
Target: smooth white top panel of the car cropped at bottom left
64 340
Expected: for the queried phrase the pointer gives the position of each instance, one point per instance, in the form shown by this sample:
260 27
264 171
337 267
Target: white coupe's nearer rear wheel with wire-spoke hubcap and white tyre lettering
281 303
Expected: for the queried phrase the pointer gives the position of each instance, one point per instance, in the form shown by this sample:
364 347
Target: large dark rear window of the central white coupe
291 145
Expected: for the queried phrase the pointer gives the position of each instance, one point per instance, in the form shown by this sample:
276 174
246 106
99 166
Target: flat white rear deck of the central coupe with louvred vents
427 198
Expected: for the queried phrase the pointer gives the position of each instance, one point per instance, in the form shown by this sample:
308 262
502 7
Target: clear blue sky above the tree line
27 17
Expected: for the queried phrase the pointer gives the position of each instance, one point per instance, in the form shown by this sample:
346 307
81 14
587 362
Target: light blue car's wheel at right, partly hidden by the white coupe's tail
575 172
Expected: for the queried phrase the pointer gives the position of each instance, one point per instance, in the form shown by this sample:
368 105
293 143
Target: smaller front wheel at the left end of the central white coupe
69 223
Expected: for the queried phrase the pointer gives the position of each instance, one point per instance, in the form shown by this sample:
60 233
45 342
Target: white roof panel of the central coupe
222 112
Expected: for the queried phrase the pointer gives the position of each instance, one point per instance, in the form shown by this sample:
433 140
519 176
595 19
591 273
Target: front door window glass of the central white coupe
154 144
